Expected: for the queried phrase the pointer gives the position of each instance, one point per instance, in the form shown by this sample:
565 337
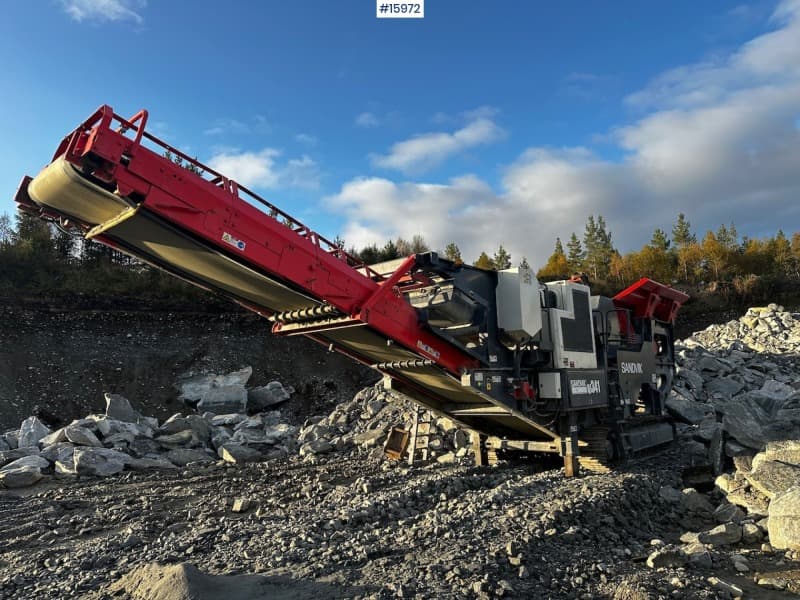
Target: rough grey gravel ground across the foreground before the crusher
352 526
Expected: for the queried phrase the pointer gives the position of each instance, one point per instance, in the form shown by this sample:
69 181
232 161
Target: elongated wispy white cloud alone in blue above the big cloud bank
427 150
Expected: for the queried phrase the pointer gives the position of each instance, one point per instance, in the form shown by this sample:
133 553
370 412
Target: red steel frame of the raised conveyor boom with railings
218 211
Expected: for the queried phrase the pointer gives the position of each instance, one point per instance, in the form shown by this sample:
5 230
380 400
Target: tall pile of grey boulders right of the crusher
737 393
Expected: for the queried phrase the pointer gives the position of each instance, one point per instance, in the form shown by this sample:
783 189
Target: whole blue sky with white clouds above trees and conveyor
483 123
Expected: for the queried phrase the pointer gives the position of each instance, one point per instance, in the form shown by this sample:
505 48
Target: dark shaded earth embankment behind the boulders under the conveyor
63 362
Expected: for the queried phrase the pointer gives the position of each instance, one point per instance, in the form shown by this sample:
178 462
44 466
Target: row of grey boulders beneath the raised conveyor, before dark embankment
122 439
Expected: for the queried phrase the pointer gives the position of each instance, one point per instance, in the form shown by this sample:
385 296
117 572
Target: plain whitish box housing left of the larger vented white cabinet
519 309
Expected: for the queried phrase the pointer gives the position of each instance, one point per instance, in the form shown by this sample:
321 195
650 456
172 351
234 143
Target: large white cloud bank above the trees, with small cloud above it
717 140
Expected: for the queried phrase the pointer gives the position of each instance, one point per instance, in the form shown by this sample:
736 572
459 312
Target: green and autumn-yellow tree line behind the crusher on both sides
37 257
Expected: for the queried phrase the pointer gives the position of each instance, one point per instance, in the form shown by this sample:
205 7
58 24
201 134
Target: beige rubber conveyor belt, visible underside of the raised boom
61 188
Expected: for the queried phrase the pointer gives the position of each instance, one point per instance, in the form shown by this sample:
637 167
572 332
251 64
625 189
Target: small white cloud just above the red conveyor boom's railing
264 170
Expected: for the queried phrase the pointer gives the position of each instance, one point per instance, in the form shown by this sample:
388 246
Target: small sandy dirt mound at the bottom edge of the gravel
185 581
